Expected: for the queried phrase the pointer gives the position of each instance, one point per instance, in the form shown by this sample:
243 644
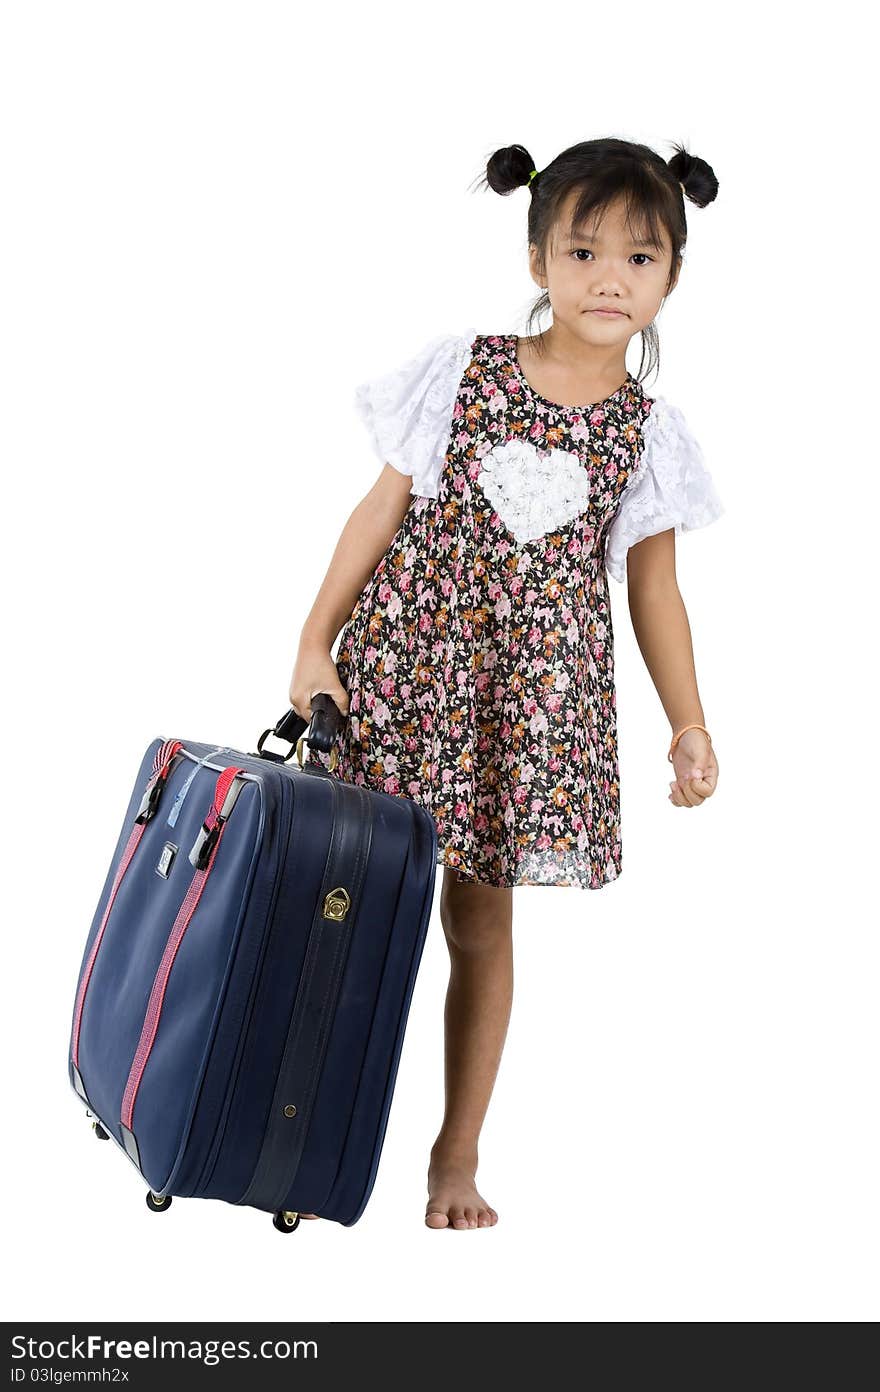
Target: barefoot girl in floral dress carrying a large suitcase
470 587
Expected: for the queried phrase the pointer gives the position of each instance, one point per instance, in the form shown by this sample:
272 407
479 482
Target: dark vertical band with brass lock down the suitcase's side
317 999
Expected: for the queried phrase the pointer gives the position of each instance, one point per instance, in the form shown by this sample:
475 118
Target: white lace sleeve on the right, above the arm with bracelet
670 488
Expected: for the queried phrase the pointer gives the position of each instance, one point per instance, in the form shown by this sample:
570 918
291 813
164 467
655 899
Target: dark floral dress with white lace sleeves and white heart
480 655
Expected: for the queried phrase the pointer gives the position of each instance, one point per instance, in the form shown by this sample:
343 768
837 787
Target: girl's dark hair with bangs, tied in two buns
602 172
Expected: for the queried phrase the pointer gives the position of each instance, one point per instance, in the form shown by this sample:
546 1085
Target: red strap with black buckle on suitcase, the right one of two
203 857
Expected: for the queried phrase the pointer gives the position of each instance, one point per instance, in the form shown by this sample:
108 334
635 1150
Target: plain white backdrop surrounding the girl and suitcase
218 219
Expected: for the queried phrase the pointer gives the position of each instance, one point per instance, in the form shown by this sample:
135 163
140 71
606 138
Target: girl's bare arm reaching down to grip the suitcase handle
363 544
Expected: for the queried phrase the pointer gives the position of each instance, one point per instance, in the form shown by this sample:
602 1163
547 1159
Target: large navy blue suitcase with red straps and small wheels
249 974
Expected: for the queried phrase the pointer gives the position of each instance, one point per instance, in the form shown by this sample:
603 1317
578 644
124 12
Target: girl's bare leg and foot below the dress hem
478 925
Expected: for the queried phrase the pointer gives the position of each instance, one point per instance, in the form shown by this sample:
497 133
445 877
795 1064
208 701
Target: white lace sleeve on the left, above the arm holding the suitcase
409 411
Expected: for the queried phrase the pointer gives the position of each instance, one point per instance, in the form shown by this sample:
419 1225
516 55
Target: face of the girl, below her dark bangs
608 271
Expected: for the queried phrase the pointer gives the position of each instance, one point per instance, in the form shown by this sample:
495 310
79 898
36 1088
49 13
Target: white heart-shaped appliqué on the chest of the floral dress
531 492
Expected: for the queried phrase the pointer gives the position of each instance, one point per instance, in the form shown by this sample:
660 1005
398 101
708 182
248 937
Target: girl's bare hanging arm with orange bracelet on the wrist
663 634
